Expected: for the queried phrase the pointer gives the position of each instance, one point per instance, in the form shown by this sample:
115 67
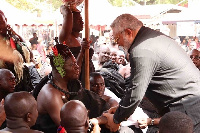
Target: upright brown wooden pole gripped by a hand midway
87 82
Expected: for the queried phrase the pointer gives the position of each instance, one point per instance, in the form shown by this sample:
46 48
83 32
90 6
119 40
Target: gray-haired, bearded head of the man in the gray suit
125 28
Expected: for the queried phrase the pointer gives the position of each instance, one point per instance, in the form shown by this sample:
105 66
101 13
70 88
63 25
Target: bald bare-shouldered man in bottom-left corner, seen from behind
21 112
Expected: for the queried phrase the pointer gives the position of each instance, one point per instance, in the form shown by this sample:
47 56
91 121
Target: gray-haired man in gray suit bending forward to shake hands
160 70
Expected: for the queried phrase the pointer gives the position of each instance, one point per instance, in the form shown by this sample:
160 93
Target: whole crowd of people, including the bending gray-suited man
140 81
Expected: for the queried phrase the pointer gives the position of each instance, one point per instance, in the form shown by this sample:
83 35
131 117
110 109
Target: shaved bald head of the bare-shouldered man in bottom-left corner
19 104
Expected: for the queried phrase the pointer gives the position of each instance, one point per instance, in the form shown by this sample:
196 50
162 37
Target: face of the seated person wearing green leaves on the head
71 68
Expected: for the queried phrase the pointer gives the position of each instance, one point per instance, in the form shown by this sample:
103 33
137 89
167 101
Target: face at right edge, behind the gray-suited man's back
195 56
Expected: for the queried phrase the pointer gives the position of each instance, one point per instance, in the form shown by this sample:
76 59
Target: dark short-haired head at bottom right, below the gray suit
175 122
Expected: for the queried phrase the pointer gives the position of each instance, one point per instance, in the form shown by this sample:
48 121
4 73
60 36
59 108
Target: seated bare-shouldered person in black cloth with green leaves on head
60 86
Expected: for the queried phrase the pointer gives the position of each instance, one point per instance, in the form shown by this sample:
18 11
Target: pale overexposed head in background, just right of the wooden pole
104 54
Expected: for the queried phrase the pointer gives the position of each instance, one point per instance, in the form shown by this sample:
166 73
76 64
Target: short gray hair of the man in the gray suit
126 21
